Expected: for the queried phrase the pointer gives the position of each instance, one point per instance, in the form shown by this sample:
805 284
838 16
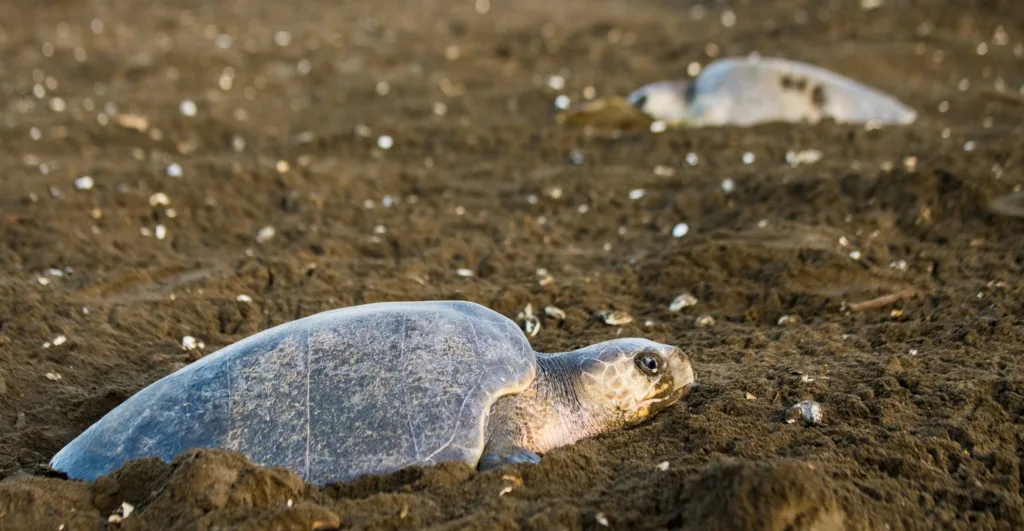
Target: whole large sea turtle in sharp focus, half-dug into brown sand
375 388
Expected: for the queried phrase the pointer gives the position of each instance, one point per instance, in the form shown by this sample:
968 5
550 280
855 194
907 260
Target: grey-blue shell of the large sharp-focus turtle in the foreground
369 389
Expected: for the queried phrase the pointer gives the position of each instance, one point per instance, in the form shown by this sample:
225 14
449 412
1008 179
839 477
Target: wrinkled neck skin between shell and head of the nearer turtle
551 413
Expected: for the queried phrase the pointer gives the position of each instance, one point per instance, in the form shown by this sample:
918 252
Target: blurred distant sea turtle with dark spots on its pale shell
747 92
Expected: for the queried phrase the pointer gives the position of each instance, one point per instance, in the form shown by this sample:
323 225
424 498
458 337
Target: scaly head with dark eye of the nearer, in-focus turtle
627 381
